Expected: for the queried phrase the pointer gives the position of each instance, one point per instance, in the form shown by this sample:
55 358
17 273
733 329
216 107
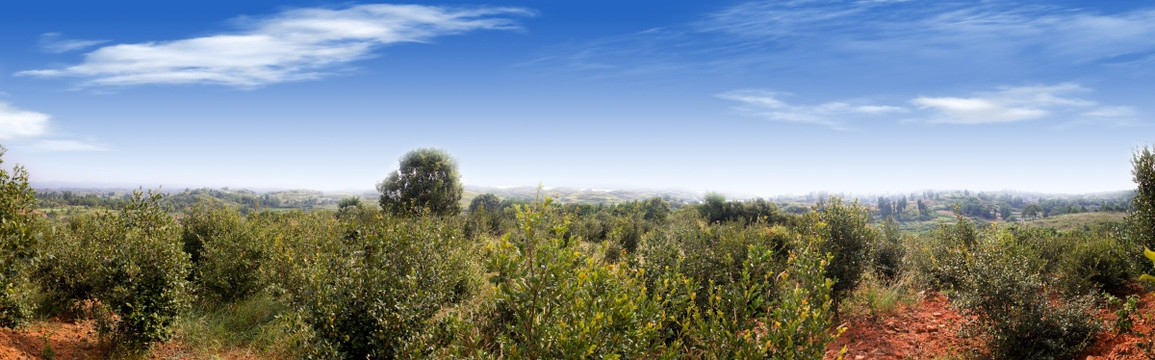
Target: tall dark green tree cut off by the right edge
1143 215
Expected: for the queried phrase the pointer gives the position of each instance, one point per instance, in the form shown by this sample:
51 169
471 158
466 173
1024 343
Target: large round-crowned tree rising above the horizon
427 181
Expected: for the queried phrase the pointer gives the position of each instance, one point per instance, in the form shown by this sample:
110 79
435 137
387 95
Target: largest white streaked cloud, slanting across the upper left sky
294 46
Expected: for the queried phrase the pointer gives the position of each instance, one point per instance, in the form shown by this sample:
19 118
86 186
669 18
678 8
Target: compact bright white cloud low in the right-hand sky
1005 106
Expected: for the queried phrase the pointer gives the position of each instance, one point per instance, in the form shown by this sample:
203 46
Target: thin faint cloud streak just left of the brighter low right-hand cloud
767 106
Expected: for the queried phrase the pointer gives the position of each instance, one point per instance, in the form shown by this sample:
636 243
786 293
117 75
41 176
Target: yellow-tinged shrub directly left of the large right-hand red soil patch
777 316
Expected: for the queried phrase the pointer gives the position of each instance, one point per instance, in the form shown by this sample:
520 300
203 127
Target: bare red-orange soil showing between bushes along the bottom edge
925 331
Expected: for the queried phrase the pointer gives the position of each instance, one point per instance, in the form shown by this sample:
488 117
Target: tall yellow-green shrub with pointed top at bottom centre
554 302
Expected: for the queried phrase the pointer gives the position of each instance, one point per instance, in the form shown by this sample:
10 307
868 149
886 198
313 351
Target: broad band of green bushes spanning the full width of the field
545 281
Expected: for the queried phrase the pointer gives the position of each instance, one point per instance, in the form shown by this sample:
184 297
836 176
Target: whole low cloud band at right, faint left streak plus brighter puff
1059 104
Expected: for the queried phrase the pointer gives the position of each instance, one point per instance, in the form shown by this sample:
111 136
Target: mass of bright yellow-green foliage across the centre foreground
553 299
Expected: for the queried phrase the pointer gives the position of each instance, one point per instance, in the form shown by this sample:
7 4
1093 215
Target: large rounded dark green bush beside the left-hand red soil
131 262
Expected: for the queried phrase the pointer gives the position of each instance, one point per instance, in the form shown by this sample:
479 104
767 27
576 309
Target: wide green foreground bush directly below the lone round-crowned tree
374 291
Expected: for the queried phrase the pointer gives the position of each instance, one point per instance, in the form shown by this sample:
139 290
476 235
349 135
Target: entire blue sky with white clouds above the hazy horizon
752 97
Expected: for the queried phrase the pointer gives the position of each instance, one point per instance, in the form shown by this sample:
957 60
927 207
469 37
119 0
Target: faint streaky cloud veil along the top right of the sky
980 37
